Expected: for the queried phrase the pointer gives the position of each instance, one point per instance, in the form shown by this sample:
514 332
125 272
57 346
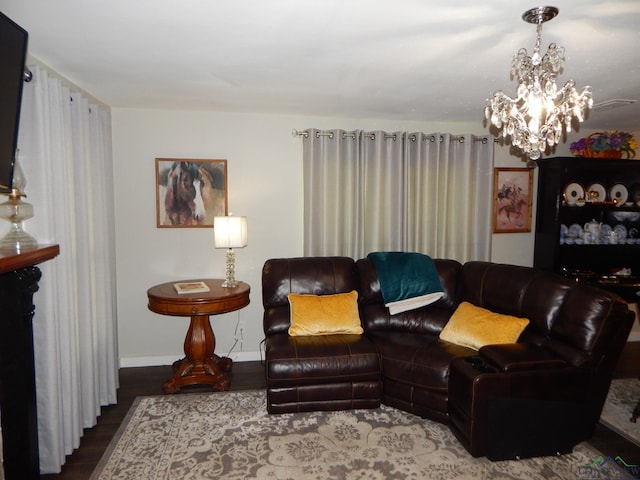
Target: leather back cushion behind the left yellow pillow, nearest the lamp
303 275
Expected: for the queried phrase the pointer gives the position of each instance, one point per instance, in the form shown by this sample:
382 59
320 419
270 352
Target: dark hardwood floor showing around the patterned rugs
250 375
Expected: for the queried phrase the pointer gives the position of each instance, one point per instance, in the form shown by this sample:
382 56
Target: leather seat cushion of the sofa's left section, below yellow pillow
320 359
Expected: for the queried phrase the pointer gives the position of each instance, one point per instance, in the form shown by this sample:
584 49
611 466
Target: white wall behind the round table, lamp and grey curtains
264 183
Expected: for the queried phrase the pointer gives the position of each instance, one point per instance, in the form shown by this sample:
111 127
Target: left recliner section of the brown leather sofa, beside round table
324 372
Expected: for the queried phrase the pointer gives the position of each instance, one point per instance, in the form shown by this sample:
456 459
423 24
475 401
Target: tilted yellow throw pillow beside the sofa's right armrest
475 327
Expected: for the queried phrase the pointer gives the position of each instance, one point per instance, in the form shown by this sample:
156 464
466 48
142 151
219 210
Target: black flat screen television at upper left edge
13 53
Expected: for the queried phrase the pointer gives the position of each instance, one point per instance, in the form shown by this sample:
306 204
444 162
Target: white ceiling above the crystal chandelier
396 59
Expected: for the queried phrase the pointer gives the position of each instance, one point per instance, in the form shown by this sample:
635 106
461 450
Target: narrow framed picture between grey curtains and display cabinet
512 200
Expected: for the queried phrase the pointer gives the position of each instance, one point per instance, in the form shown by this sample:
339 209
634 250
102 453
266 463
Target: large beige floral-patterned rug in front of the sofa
230 435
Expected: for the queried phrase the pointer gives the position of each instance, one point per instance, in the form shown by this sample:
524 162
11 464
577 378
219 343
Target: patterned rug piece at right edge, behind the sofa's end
624 395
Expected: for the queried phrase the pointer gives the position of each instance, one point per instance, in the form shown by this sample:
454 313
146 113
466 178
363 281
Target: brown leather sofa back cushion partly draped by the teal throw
430 319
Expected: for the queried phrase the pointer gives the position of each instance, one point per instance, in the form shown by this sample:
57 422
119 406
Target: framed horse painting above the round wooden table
189 192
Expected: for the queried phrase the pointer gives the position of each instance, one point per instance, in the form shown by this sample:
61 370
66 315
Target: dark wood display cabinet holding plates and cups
588 222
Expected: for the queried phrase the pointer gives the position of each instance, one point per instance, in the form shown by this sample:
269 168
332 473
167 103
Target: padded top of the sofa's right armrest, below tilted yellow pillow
518 357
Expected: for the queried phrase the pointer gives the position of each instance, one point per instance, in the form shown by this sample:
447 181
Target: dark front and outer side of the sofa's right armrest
523 413
